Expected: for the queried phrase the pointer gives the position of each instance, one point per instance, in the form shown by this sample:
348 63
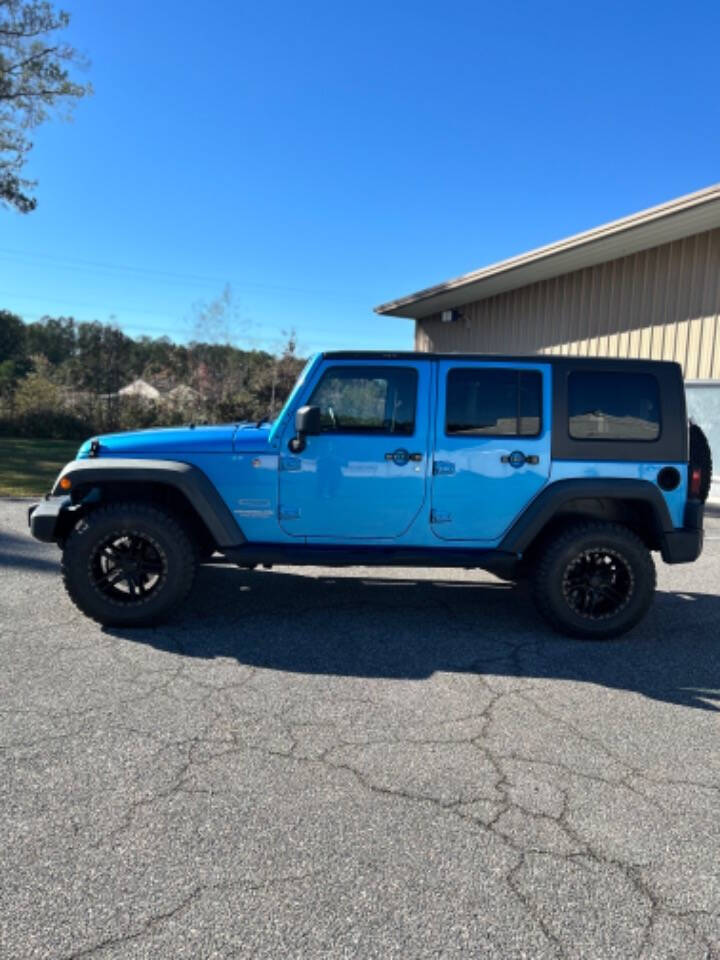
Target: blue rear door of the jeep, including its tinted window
492 446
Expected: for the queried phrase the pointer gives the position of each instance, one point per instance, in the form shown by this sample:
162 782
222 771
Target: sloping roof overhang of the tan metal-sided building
693 213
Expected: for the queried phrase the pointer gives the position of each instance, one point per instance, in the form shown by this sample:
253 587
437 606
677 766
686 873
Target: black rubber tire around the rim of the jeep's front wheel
172 549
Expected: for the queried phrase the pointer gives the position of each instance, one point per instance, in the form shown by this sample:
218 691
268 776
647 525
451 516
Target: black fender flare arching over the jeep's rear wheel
552 498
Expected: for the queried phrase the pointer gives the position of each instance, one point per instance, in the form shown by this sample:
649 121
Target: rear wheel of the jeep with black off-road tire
619 555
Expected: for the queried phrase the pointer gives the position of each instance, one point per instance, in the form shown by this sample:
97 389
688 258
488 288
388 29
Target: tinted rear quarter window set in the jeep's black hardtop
613 406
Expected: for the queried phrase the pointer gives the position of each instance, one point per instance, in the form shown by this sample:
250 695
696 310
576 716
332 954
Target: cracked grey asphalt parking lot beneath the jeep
356 763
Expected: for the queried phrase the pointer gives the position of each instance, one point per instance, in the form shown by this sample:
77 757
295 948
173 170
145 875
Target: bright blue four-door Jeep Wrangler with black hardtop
568 471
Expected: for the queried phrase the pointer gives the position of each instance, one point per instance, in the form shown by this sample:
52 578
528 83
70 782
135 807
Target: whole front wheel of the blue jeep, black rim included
128 564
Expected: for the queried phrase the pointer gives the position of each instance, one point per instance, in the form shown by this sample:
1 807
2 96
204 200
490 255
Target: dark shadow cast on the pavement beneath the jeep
410 628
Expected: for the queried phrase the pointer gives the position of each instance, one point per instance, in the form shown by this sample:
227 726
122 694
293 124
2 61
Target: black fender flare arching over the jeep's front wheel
184 477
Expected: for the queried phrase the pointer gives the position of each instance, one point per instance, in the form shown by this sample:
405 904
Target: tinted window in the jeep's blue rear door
493 402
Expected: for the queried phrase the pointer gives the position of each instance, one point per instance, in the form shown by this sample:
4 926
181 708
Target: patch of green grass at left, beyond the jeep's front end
28 467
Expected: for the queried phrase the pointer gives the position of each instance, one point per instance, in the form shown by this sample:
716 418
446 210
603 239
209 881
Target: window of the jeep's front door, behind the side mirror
367 400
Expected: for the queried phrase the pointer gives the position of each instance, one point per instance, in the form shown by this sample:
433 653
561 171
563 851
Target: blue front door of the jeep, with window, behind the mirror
365 475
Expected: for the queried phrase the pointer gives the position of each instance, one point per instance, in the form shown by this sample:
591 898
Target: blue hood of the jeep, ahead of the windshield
164 441
